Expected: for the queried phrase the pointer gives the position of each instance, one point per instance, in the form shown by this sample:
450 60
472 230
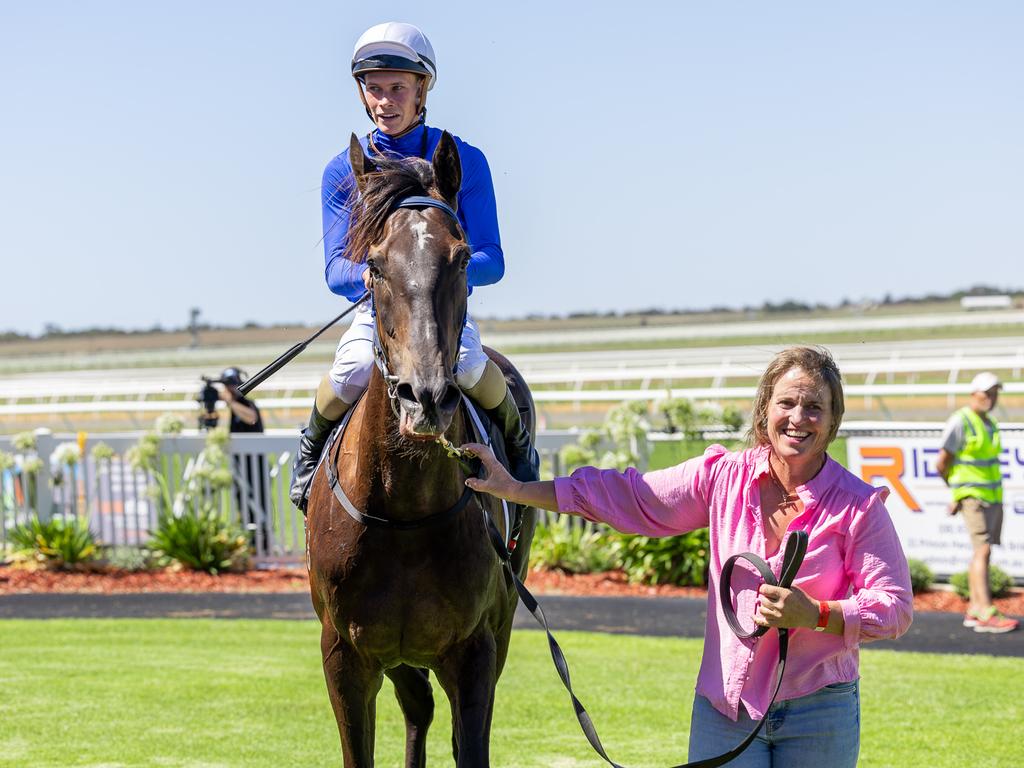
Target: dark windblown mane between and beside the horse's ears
395 179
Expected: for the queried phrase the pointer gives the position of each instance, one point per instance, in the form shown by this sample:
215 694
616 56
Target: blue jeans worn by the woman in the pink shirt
820 730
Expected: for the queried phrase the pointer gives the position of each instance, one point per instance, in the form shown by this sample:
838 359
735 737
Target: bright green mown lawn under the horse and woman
212 694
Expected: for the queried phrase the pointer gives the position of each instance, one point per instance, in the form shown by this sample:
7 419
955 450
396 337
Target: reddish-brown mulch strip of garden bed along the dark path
612 584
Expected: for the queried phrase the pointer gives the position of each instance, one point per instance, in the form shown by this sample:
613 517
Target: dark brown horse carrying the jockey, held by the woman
403 600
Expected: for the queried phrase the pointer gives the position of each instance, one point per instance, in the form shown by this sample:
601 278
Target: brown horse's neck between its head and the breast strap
410 479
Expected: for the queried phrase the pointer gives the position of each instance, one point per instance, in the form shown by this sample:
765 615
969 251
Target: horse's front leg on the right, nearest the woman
468 674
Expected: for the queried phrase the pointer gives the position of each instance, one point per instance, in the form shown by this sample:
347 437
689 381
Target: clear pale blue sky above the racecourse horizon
155 158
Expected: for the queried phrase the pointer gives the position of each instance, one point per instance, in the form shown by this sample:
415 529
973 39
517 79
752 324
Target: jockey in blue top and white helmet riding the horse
394 67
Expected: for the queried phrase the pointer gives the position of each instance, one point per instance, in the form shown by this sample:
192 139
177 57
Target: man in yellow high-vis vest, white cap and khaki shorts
969 462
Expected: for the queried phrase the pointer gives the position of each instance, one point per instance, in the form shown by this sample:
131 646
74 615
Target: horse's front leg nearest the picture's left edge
353 685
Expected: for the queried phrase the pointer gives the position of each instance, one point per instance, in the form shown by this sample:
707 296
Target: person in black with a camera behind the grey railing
249 472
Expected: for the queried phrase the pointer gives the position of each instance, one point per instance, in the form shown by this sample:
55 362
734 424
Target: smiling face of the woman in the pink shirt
800 418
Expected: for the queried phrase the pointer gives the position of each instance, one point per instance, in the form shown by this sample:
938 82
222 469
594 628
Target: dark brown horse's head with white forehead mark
417 258
